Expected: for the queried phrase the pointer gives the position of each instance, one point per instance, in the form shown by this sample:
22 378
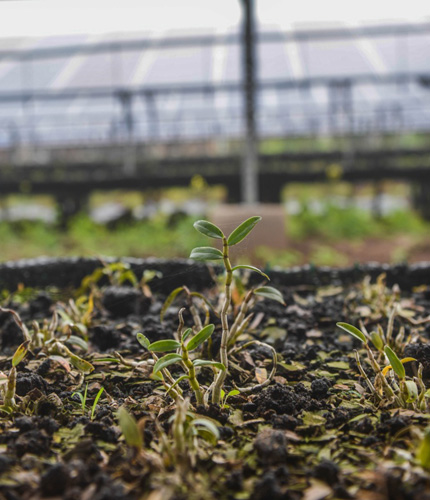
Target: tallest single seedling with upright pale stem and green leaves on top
214 254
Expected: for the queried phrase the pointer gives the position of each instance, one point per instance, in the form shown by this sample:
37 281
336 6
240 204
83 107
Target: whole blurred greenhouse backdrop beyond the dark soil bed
122 122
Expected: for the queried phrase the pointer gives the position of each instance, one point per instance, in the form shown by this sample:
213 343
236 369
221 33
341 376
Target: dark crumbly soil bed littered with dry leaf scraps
314 432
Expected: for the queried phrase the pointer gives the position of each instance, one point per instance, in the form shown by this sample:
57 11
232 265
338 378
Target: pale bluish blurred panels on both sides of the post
306 85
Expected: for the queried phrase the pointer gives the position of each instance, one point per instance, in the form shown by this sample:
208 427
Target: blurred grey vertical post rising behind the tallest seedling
250 153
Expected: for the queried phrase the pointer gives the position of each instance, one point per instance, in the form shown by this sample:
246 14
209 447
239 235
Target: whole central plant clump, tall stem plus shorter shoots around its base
190 339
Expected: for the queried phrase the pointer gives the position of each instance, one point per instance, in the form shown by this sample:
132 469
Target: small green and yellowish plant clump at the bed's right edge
391 382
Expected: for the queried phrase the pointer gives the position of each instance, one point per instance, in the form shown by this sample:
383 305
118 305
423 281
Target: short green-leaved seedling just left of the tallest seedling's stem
183 348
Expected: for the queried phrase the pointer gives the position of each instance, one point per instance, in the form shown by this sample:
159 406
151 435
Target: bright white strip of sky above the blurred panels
55 17
